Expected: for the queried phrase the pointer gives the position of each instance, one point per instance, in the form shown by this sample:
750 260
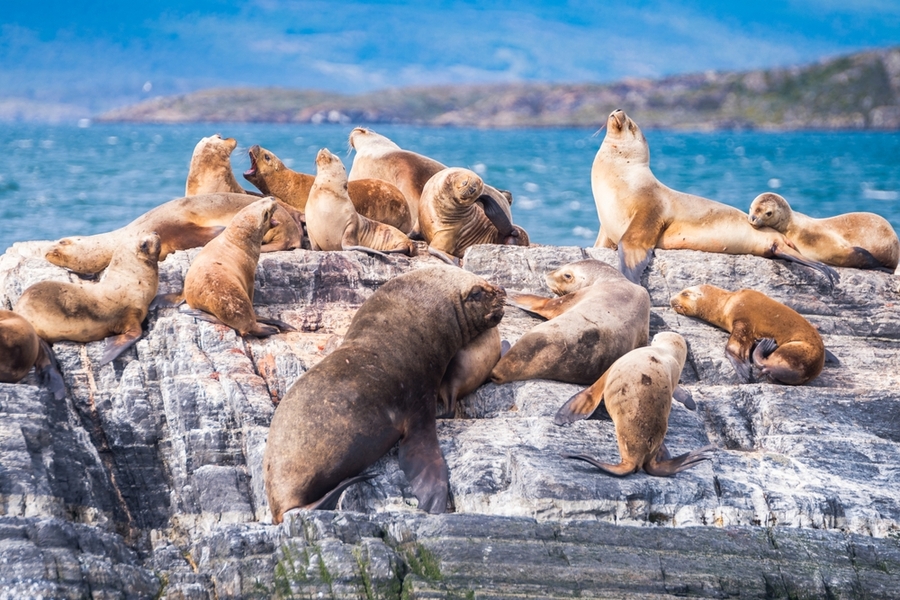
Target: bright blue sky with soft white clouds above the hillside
102 54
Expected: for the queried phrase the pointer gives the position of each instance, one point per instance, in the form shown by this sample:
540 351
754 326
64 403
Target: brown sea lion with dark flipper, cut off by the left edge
21 349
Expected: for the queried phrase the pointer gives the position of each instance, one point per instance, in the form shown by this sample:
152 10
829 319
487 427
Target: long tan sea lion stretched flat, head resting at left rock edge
181 224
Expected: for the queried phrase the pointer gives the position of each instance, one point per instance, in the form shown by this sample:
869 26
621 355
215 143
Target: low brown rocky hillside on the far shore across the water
860 91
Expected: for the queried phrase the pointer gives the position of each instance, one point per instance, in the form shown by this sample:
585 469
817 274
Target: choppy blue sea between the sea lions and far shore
60 180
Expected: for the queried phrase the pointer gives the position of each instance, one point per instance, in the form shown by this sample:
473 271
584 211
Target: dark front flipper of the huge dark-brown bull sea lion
424 466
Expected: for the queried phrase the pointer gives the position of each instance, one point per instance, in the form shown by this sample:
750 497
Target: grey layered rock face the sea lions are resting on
145 481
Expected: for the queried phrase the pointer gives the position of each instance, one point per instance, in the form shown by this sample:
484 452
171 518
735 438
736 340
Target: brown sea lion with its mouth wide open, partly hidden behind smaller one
373 198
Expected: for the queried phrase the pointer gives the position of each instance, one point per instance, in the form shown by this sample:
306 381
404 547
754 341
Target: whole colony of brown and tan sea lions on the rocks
596 331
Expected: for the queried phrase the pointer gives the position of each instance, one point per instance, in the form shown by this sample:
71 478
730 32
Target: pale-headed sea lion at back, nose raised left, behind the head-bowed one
377 157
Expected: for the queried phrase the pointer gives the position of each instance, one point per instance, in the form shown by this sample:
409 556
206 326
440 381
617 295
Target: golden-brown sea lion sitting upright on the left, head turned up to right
220 279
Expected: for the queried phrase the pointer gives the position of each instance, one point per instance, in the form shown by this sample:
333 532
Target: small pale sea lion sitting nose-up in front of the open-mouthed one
332 221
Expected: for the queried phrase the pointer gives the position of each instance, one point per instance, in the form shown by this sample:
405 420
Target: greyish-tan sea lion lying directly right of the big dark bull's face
599 316
